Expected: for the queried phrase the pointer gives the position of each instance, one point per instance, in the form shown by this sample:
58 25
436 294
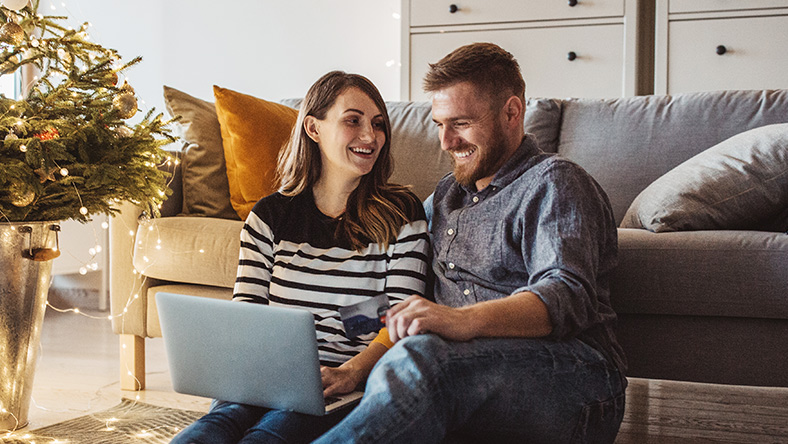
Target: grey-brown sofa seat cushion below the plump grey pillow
701 273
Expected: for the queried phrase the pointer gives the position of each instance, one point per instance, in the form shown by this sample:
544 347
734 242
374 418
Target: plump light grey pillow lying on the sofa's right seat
740 183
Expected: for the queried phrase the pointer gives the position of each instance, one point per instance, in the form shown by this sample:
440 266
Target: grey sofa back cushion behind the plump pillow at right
627 143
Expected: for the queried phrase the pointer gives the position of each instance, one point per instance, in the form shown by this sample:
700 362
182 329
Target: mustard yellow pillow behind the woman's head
253 131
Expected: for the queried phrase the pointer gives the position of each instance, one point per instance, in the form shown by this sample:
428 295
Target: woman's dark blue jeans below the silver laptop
231 423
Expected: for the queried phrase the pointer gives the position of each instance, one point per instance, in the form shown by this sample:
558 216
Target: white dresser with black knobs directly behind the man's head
566 48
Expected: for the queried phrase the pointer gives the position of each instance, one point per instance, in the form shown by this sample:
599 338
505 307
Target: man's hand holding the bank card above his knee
416 315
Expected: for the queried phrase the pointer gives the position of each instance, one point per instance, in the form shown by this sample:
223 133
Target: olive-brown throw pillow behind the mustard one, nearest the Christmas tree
205 188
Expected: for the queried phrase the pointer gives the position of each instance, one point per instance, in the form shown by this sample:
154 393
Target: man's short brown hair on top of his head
485 65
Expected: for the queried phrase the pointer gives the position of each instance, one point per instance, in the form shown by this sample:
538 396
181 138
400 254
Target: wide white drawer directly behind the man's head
596 71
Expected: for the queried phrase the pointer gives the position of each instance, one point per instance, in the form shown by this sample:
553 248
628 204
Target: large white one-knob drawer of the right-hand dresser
751 59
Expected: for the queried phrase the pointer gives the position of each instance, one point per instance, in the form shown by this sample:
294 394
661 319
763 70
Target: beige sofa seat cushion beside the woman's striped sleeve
195 250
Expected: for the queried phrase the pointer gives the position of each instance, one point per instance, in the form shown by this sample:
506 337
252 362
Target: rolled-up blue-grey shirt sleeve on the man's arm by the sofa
566 237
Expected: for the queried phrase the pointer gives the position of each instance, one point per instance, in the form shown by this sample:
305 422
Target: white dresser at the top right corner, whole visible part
706 45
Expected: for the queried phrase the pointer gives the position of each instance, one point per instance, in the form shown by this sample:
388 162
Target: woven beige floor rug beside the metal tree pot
128 422
